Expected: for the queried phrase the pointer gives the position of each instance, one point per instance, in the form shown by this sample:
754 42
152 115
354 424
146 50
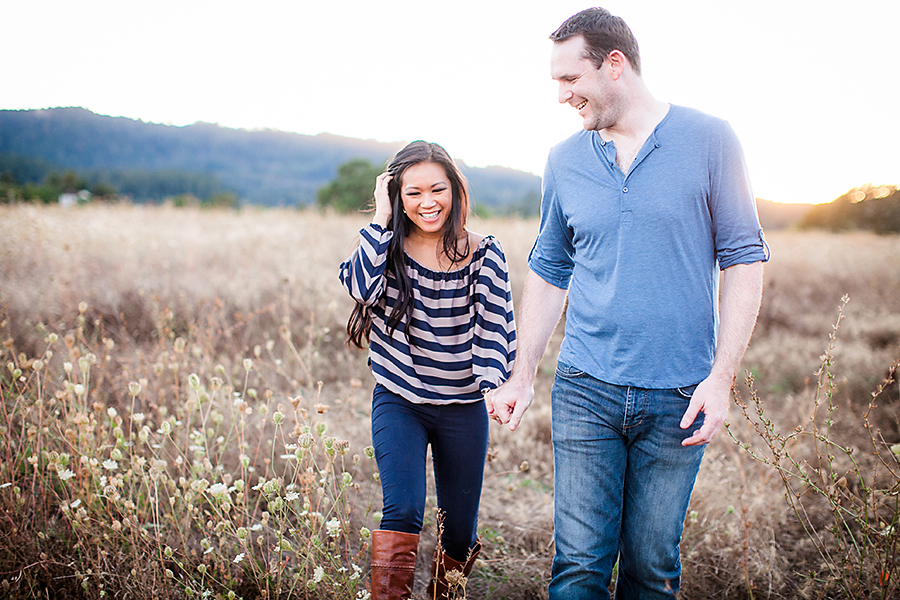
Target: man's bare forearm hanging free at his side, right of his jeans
741 297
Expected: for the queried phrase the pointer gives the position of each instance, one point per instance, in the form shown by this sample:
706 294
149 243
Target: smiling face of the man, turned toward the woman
583 86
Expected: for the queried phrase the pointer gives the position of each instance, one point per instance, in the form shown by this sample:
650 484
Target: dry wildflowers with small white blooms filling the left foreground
178 482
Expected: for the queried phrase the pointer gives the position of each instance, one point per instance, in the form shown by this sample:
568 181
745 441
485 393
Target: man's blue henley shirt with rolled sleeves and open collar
640 253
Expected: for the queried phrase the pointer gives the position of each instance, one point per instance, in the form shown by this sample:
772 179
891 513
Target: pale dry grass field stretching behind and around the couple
228 282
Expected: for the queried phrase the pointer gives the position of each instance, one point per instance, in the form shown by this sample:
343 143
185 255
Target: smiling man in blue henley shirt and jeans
640 212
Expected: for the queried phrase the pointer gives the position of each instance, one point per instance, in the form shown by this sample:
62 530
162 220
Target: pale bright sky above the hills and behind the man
812 87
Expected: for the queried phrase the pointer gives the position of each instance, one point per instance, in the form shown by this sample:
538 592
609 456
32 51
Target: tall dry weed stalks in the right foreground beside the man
859 544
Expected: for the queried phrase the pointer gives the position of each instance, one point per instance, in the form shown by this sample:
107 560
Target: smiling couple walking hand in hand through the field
640 212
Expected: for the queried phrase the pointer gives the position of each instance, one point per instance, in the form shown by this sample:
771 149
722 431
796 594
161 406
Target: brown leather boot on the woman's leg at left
393 564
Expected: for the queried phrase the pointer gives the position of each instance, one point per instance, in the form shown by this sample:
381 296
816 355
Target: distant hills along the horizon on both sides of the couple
44 152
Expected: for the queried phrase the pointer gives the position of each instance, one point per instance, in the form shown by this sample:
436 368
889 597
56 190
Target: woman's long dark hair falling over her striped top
359 327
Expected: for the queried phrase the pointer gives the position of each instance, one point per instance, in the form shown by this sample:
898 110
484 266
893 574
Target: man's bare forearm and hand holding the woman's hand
539 311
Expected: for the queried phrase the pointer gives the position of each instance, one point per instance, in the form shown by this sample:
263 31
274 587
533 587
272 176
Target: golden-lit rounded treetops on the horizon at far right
875 208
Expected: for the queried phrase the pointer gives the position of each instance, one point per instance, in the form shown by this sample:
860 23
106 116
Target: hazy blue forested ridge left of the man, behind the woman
149 160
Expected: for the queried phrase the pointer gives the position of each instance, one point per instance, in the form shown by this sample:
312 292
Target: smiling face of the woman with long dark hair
427 198
